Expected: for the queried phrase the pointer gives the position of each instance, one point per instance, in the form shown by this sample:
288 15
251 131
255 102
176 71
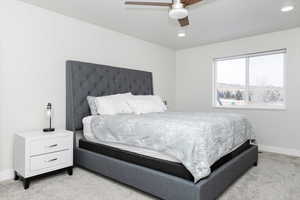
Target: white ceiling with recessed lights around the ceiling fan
211 21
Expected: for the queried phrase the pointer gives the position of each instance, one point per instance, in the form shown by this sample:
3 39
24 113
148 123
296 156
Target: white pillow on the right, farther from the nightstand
146 104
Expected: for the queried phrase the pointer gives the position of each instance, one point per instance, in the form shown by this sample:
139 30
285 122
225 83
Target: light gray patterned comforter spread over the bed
197 140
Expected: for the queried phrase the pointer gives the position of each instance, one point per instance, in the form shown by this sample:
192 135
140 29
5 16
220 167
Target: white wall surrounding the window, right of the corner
276 130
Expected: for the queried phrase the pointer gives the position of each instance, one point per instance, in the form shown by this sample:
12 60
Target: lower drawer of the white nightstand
50 160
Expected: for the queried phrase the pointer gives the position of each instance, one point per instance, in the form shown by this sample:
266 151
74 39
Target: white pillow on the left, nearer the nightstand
113 104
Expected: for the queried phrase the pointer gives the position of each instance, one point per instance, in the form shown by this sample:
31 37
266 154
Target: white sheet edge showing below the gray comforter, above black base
90 136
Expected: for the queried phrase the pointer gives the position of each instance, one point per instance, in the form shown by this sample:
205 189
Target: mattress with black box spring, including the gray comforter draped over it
129 137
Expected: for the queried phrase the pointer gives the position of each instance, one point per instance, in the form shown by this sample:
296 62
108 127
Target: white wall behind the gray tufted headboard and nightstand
34 45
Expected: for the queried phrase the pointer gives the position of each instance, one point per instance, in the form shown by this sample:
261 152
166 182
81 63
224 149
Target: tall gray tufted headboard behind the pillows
86 79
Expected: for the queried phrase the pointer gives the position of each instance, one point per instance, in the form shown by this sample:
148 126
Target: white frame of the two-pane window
247 57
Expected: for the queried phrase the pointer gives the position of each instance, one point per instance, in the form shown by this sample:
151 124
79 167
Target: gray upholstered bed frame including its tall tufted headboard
83 79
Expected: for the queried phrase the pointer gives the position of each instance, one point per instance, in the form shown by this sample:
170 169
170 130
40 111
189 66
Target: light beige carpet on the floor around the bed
277 177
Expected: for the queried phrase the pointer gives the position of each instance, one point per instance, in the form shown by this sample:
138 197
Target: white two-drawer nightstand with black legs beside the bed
37 153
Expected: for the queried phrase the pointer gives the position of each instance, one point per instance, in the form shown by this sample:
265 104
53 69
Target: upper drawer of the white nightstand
50 145
